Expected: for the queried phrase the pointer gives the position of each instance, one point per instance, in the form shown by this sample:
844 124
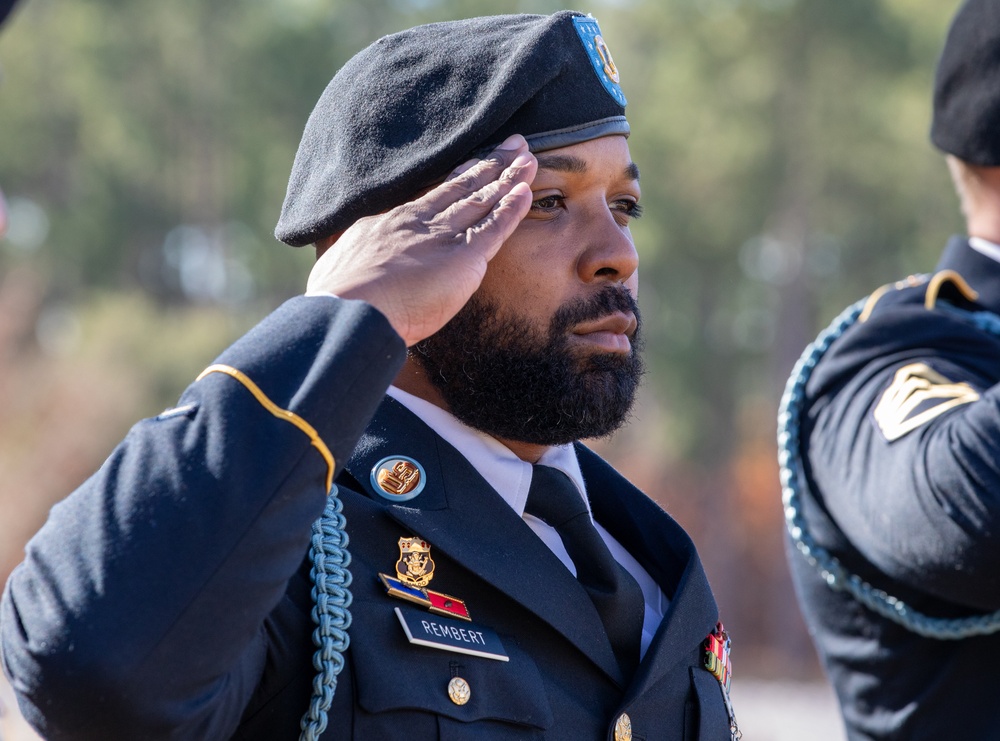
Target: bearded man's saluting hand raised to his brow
420 262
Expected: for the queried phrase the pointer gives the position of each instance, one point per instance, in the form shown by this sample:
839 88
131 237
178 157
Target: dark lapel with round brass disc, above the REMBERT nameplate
461 515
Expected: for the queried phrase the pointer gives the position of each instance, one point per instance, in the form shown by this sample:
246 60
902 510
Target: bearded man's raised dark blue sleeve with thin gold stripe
138 610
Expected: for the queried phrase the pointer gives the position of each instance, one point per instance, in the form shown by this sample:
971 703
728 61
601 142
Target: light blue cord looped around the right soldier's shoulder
793 484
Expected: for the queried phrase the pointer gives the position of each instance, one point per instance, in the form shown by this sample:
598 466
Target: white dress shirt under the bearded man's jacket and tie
511 477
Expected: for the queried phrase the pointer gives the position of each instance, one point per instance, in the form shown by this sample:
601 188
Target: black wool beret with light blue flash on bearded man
406 110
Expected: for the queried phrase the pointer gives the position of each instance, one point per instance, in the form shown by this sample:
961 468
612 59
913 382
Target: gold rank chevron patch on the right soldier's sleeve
917 395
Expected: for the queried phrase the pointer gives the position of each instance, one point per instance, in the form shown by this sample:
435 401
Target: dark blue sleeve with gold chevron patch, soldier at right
904 452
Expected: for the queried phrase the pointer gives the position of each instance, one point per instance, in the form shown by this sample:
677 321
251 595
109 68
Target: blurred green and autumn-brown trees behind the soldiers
145 147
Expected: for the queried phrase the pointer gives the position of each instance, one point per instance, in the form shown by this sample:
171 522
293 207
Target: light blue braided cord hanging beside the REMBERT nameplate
331 598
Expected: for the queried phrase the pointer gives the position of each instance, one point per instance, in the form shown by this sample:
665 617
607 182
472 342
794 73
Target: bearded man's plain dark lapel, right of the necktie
667 553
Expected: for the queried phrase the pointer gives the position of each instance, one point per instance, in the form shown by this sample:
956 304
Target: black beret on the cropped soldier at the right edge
967 86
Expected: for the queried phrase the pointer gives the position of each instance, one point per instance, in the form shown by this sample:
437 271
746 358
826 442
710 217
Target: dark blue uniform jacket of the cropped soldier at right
917 516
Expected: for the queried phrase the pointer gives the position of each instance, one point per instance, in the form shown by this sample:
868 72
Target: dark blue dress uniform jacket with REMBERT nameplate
169 597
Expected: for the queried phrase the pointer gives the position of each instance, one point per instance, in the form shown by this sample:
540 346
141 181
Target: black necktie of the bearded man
616 595
